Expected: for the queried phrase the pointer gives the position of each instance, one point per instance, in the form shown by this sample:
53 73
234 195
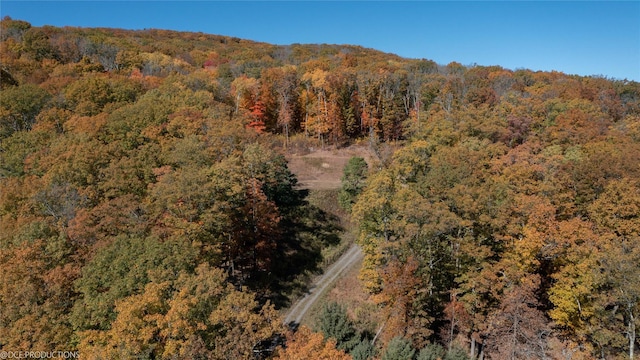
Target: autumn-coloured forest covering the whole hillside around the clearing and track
147 209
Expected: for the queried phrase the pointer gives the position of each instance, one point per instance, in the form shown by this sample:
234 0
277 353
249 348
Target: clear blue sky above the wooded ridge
576 37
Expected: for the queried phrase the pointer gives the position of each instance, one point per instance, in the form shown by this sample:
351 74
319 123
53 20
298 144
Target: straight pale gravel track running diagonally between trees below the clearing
344 263
